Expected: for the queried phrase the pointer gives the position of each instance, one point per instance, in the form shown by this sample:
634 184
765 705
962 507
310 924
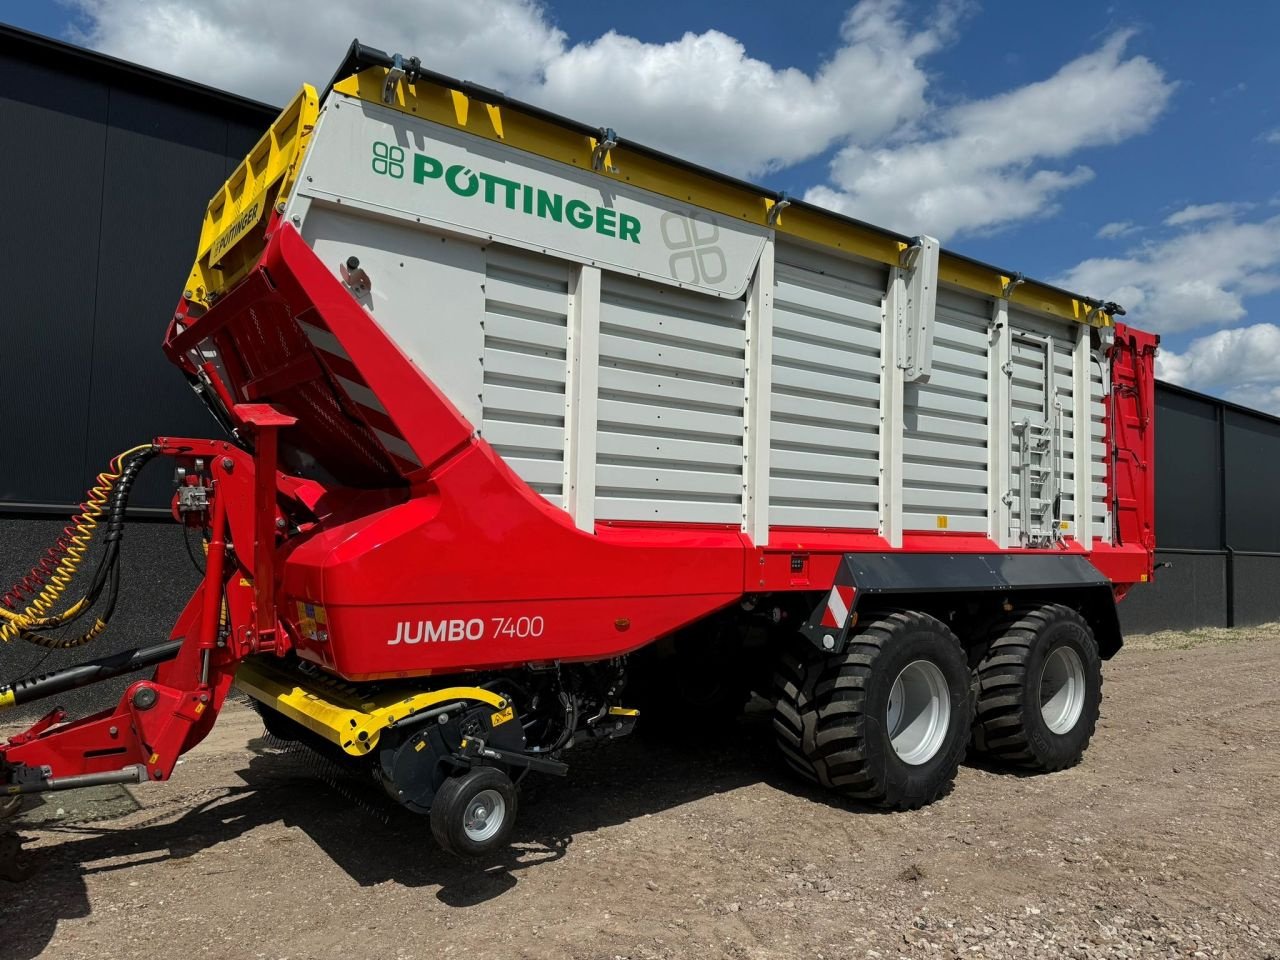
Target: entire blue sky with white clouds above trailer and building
1128 150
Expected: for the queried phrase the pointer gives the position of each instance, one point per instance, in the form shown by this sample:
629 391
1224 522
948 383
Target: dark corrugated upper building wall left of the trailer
107 175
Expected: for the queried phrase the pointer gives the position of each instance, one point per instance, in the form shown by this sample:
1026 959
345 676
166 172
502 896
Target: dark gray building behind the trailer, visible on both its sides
108 170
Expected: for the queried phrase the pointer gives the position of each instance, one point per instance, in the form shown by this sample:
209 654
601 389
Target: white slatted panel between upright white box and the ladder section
945 459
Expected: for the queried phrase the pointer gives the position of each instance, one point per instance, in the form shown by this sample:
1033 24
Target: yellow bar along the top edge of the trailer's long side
509 125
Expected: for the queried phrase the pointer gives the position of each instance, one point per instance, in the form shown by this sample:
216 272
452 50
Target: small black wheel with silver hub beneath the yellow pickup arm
474 813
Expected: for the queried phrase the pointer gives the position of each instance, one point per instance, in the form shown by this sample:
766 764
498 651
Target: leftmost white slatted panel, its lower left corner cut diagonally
525 345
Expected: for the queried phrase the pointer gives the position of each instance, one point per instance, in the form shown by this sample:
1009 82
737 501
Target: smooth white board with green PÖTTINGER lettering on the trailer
373 158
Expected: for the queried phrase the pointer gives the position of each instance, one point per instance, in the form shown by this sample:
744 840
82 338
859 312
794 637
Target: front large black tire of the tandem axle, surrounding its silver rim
831 715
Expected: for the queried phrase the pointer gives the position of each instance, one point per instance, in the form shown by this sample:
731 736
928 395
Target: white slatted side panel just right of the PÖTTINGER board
825 420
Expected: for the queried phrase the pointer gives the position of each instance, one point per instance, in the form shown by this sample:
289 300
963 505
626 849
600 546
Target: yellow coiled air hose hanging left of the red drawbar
49 579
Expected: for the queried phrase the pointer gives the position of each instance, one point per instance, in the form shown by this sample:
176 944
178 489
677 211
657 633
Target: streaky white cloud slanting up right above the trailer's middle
984 164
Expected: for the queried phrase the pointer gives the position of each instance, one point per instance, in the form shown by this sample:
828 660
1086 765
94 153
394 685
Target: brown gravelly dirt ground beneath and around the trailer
1164 843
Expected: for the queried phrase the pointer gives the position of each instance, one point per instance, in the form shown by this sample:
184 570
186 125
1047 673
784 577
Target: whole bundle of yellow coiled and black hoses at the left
51 578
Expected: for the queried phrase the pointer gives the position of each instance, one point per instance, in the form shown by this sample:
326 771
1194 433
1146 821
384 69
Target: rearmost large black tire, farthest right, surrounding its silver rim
1011 726
